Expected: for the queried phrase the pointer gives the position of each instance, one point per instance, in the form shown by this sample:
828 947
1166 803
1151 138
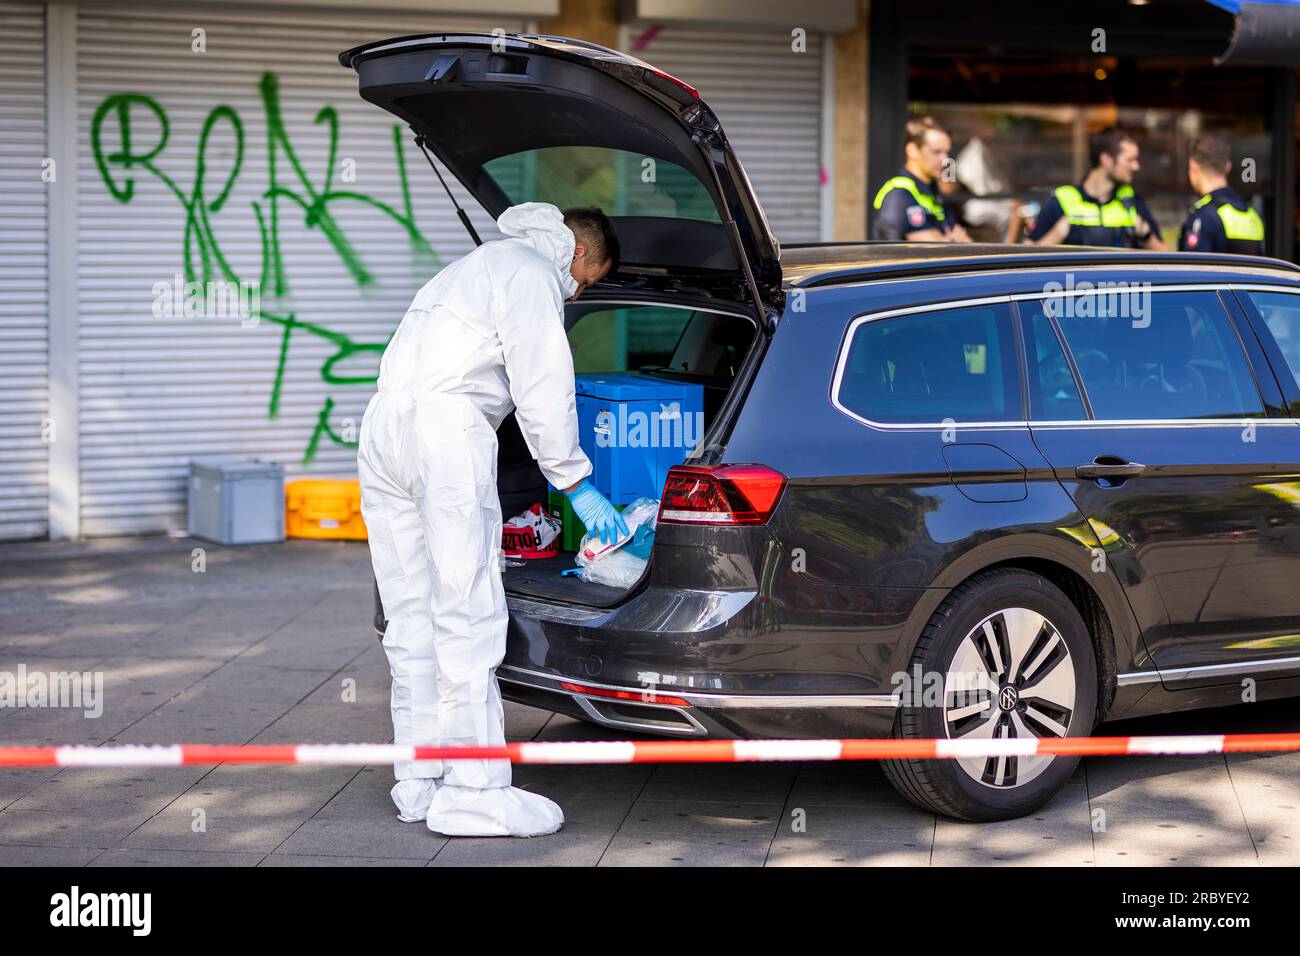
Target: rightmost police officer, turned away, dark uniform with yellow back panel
1220 222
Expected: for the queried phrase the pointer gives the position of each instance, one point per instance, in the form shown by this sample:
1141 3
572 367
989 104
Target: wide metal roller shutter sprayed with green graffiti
157 392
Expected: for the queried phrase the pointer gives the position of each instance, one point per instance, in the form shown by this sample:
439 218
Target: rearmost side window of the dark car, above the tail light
954 365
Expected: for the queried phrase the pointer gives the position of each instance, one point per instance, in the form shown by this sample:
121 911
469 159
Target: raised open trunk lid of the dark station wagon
478 100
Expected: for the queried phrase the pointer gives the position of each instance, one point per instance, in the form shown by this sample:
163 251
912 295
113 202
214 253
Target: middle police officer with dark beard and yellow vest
1103 210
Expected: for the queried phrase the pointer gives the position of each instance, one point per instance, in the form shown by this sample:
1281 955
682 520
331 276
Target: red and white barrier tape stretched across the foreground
638 752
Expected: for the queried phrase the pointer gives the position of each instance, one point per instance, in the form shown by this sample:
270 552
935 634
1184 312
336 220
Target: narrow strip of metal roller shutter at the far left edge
24 331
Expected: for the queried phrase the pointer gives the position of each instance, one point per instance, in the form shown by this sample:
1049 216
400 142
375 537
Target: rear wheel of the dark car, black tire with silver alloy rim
1017 629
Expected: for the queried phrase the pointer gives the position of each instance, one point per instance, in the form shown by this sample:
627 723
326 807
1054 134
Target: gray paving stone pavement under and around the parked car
274 644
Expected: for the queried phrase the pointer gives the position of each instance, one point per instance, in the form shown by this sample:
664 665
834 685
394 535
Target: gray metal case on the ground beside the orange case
237 501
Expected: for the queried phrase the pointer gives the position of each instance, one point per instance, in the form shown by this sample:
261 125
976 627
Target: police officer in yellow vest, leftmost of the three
911 205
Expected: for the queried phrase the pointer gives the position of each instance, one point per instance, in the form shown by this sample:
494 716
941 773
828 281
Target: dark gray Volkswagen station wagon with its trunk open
944 491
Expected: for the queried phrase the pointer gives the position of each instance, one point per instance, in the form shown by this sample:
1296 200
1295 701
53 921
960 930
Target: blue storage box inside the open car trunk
634 429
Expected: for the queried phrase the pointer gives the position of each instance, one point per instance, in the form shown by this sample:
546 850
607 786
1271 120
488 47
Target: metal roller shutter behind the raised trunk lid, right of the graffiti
770 102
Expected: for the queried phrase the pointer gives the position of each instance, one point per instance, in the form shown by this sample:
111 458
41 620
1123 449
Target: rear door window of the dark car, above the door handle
1149 354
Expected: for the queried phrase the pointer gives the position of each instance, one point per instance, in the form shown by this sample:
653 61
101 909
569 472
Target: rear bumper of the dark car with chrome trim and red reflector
699 648
